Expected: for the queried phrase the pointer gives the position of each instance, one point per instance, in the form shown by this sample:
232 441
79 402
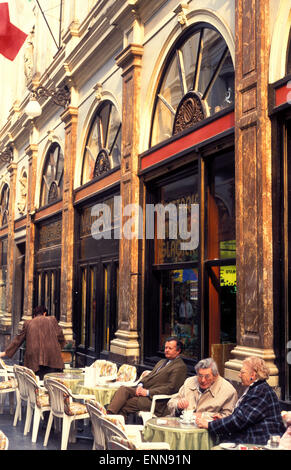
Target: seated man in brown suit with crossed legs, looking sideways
166 378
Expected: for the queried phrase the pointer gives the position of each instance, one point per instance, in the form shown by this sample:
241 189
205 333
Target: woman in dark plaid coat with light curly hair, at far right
257 414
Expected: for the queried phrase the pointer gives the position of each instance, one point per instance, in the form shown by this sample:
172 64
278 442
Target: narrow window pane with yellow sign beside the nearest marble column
221 250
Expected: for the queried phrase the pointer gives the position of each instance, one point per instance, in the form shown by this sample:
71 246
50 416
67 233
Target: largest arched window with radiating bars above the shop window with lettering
197 82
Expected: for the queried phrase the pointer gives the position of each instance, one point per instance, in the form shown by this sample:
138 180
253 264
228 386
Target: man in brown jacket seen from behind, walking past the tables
44 340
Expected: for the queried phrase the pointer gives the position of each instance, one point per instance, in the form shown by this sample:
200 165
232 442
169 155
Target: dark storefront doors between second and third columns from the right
96 292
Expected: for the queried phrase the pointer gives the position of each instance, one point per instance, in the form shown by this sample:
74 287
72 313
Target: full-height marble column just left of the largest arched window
126 343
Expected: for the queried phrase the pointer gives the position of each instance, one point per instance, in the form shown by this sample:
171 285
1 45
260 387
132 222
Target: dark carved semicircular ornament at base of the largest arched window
190 111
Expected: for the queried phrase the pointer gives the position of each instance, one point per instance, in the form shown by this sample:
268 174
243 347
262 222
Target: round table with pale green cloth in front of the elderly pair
180 436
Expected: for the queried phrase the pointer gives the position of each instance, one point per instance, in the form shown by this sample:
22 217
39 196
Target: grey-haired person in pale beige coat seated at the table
206 392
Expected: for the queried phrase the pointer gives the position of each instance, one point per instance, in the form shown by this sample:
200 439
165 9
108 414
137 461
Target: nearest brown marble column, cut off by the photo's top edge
253 189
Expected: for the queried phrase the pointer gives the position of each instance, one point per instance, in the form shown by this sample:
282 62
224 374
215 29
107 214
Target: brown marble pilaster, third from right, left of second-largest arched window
70 119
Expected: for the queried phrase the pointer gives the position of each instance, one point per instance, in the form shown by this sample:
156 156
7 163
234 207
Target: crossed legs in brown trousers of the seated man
125 401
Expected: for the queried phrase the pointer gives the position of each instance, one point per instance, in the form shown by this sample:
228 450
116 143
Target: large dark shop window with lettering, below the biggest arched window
196 287
